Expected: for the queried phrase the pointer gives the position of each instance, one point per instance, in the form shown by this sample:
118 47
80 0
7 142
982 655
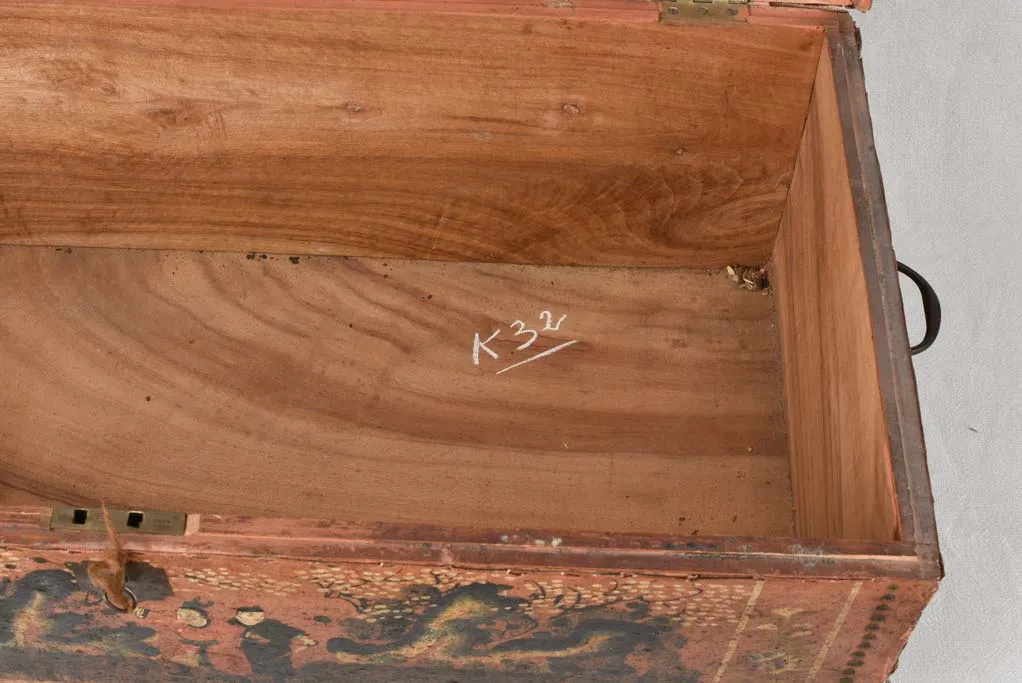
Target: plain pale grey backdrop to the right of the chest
945 79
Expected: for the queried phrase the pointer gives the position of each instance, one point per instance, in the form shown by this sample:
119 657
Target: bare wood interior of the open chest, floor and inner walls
581 271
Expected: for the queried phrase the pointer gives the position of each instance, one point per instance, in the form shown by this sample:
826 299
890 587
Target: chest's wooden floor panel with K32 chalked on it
347 389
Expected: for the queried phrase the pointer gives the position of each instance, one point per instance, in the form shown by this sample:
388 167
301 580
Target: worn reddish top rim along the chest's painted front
327 540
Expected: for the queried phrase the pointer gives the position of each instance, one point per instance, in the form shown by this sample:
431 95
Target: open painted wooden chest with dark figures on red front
451 340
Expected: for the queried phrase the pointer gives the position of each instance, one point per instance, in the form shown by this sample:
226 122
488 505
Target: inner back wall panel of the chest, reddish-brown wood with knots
382 133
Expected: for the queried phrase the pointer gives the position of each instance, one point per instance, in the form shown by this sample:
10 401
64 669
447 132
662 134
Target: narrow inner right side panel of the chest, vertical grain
841 454
